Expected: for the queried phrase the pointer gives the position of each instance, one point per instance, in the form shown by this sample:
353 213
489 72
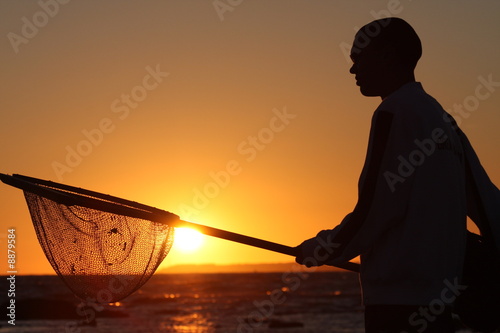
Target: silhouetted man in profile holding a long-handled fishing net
409 224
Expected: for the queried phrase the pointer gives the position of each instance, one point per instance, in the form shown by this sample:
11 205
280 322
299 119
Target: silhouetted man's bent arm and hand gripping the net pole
378 205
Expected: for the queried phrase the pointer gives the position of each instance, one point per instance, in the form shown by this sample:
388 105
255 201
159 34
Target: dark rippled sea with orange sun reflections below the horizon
197 303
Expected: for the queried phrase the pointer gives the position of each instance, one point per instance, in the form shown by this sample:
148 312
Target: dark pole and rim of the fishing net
137 210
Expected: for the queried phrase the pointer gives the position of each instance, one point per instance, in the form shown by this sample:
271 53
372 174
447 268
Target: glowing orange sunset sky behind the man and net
239 115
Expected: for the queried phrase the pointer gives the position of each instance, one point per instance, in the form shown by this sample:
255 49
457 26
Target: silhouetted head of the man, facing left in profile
384 54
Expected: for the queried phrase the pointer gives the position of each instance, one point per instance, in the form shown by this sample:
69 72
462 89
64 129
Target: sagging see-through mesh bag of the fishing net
101 256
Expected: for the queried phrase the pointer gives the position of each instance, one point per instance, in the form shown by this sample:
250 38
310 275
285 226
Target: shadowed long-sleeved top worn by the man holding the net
409 224
